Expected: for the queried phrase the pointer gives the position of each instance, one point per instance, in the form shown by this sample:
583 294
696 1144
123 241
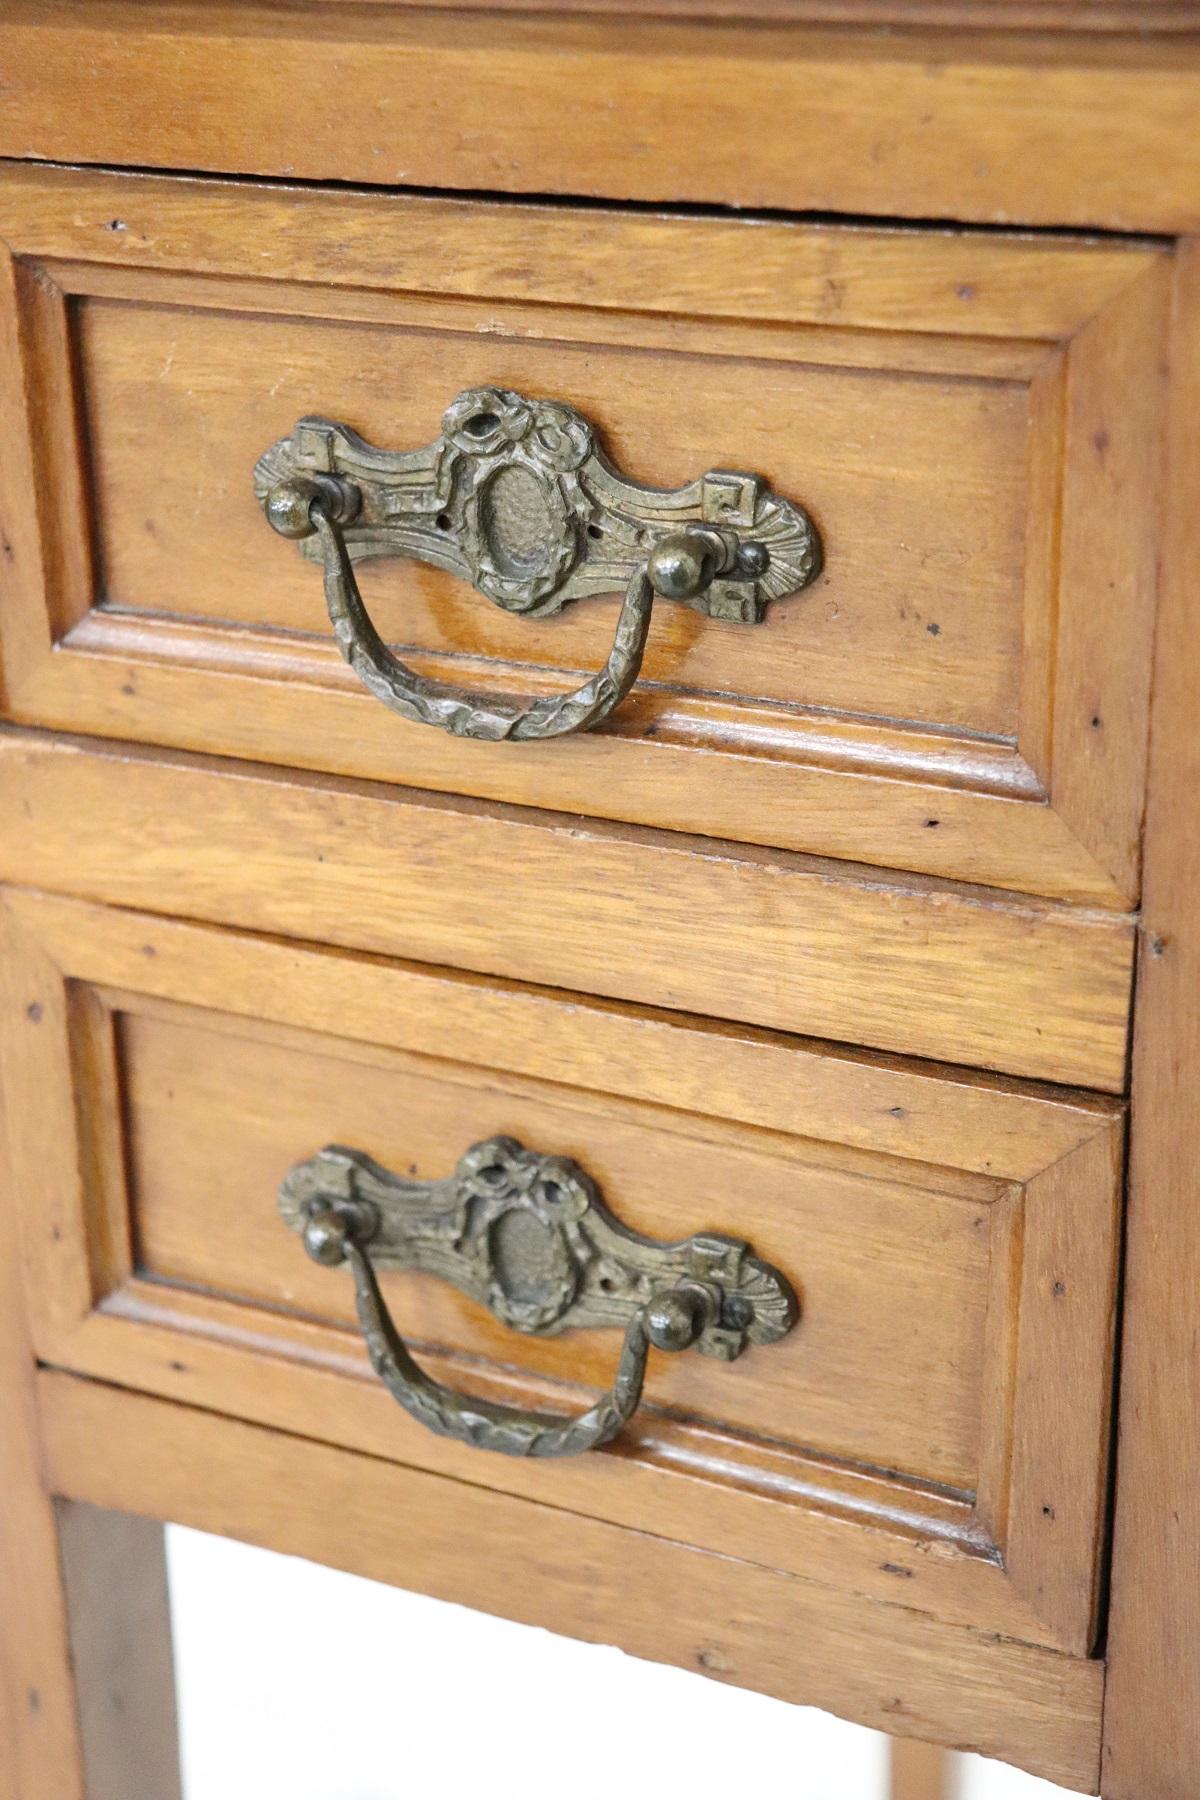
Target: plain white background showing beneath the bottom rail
303 1684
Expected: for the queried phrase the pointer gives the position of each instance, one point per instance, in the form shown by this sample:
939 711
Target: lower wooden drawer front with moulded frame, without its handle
938 1302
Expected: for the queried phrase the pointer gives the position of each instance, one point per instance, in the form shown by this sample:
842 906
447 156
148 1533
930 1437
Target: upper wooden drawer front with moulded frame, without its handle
971 422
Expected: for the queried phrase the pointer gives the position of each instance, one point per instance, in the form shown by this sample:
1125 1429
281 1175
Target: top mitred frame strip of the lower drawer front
762 1079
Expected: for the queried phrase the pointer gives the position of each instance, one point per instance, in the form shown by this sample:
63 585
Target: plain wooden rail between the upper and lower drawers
769 939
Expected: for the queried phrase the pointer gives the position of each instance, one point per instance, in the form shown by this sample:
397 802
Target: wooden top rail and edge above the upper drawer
1043 129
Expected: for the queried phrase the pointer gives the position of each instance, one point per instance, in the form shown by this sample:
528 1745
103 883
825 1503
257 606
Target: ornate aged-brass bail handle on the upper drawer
517 498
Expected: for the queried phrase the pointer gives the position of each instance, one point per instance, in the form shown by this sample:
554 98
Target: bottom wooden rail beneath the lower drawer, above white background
719 1615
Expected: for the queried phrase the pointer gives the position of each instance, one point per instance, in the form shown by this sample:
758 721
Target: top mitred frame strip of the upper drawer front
1003 287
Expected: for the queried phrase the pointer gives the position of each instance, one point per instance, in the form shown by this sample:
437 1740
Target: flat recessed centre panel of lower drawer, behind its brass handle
866 1250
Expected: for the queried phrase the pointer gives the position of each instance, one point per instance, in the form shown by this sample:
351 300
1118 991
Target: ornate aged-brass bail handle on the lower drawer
532 1239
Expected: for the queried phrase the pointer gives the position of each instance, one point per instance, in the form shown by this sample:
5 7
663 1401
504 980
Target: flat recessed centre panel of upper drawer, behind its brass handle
918 485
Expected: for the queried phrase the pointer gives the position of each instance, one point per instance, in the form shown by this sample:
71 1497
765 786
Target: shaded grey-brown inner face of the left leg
116 1581
